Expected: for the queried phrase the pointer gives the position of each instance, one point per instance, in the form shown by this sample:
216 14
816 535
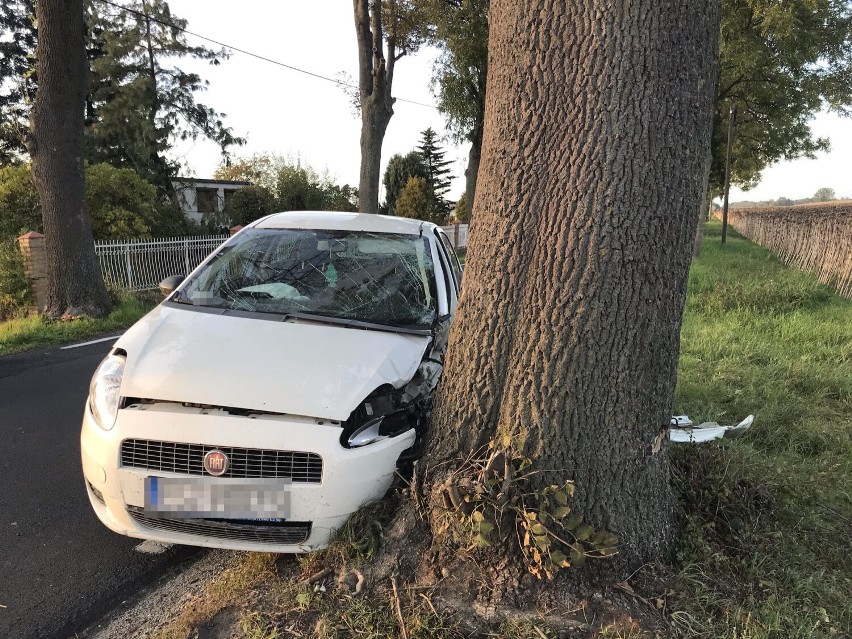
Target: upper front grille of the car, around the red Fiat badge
188 459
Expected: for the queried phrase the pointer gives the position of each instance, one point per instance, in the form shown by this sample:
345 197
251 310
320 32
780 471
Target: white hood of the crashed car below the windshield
299 368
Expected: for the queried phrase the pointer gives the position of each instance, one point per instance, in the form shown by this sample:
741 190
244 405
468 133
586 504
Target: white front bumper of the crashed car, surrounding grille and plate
350 477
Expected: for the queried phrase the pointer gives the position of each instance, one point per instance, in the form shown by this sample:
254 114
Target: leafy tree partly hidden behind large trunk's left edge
460 73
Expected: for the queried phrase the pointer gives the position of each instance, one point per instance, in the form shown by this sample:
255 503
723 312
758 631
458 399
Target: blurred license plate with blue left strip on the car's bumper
185 498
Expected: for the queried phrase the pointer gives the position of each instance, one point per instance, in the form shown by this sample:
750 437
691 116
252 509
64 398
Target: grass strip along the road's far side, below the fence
35 331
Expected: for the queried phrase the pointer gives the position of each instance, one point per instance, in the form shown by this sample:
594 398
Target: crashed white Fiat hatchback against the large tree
275 389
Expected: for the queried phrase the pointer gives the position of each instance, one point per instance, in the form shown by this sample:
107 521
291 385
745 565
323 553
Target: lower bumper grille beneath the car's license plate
286 532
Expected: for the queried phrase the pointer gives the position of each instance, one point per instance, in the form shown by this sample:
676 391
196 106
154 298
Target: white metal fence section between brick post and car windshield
139 265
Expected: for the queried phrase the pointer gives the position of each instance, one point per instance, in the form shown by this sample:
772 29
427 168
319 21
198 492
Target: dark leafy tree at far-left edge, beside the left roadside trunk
17 75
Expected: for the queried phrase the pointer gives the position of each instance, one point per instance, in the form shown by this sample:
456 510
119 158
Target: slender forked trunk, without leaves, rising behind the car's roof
375 80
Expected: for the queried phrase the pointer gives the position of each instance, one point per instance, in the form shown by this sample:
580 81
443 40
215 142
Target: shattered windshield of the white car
383 278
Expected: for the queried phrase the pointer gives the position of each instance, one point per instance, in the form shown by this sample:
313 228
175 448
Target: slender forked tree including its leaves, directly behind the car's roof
397 25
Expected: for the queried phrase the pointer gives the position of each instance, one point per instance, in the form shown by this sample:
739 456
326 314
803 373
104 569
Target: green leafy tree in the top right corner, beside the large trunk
780 63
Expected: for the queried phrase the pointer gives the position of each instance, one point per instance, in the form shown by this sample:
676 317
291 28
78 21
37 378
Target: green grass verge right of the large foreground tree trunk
765 547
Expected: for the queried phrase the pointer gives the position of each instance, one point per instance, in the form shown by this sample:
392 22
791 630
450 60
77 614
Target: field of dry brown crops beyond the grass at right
813 237
